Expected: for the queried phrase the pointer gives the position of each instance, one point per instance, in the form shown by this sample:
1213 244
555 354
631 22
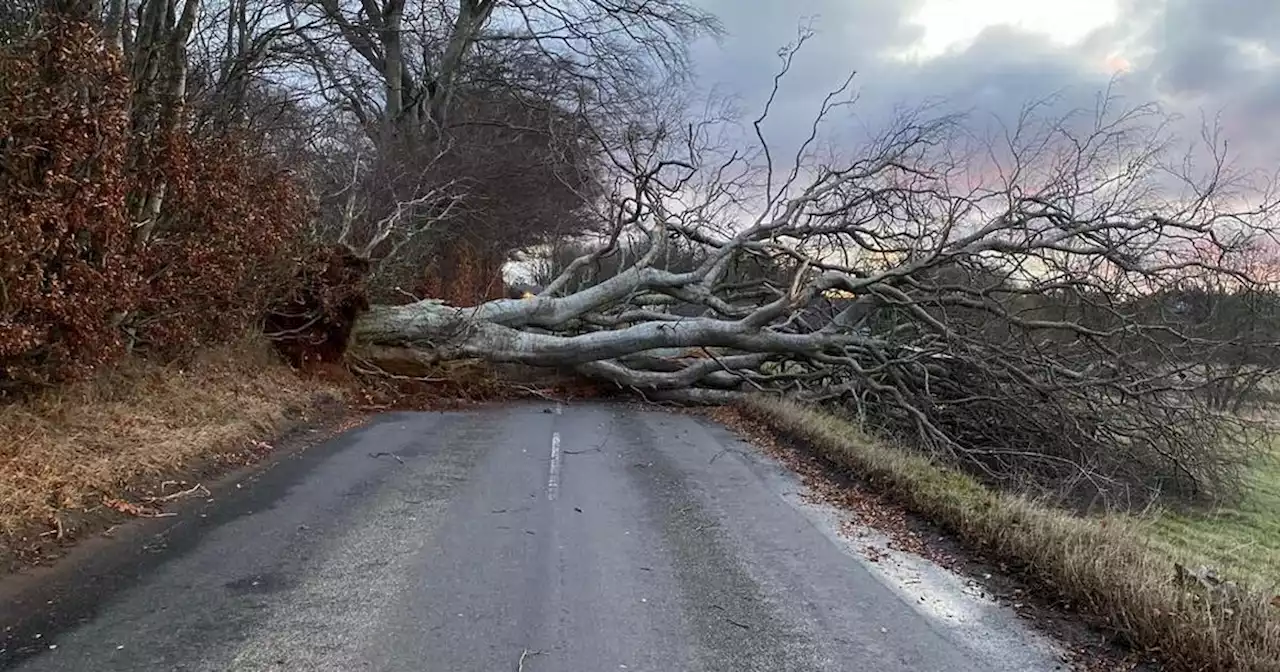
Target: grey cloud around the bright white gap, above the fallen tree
1194 62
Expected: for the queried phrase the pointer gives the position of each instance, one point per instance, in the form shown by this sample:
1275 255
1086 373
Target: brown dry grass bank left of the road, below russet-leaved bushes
107 442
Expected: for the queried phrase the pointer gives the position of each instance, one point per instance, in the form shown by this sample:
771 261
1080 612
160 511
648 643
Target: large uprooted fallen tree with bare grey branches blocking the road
1008 305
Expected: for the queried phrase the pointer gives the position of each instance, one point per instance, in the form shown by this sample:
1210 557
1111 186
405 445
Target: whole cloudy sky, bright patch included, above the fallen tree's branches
1197 57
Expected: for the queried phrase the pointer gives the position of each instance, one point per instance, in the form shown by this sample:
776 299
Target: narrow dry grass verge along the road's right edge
1109 569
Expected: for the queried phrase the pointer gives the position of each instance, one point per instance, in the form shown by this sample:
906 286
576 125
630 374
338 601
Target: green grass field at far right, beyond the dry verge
1240 542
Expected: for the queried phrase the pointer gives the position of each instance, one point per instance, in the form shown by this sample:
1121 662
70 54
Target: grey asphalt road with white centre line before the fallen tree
602 538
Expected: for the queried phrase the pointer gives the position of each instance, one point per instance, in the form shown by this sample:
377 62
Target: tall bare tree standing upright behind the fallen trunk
495 103
